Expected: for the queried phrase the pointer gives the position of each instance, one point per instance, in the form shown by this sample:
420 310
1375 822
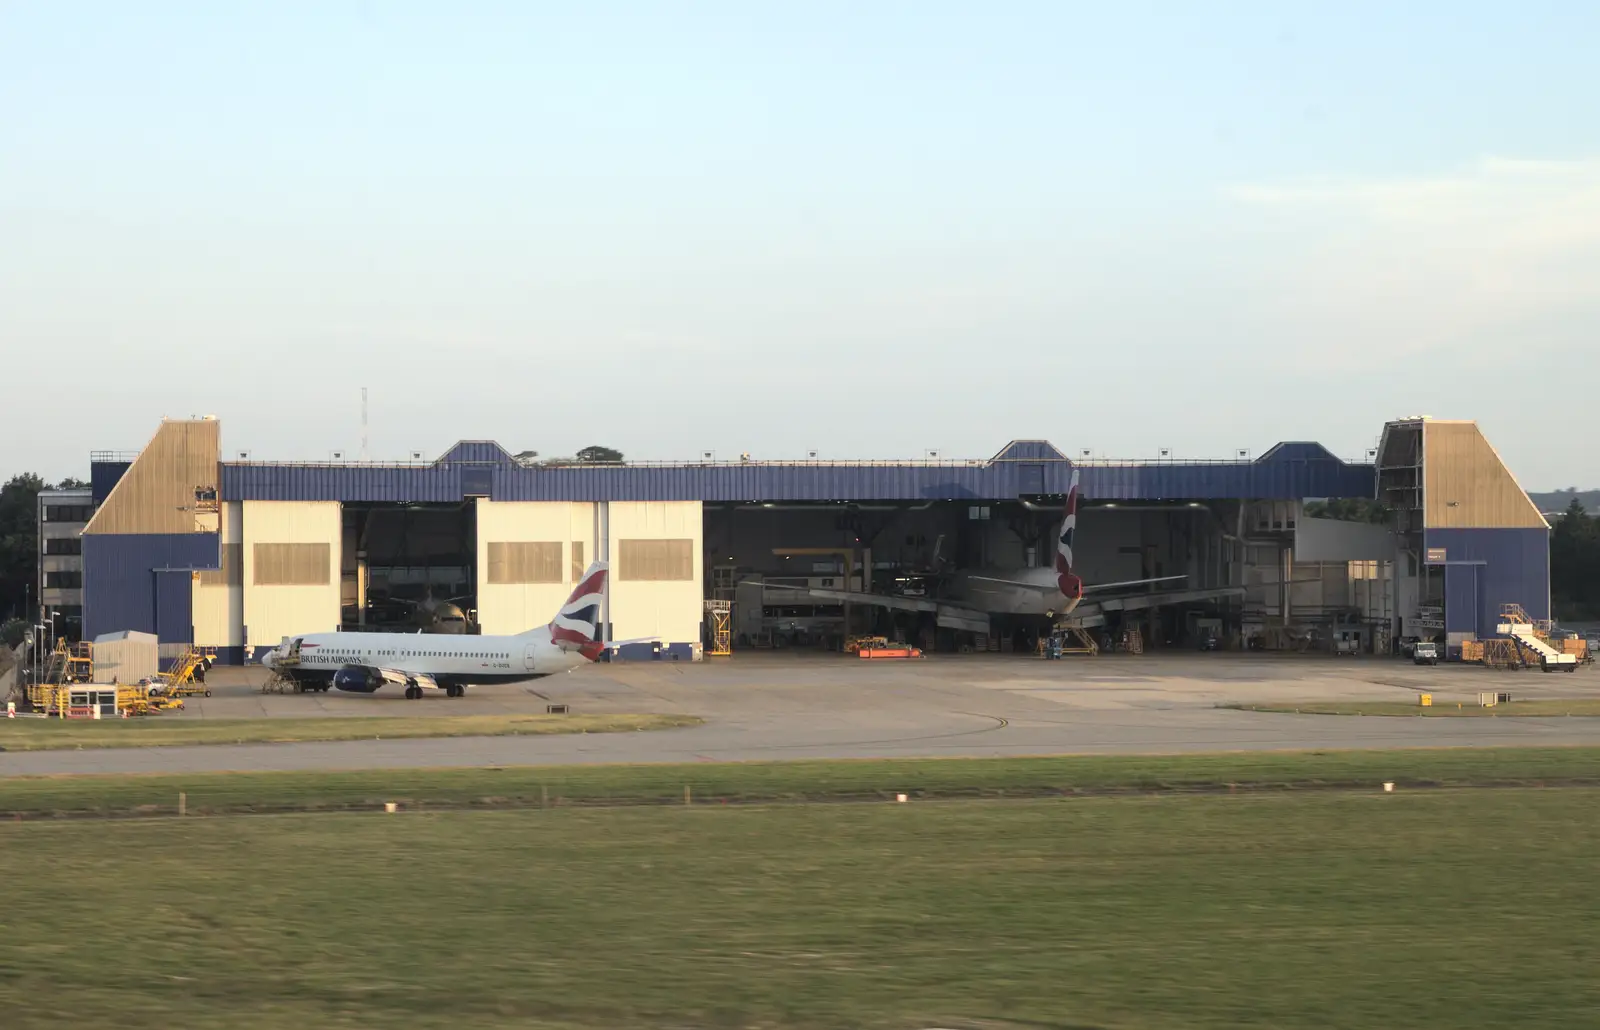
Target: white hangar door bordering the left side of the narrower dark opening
290 567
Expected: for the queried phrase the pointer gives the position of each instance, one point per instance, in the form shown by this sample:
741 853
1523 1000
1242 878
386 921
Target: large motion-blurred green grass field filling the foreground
1420 909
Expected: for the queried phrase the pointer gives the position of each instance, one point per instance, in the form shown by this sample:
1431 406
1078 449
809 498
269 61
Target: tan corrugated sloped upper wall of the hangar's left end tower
158 493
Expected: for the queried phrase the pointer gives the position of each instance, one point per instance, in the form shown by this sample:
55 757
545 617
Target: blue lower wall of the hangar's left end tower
126 589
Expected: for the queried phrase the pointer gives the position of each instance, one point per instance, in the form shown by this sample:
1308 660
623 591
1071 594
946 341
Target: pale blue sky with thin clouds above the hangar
868 230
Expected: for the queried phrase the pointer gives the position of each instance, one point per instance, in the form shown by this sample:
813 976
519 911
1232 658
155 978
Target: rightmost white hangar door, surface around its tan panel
671 610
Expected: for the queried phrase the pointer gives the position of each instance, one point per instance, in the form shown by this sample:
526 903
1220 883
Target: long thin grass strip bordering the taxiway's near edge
786 781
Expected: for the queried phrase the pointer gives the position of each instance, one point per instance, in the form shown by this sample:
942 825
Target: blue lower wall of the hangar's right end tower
1516 570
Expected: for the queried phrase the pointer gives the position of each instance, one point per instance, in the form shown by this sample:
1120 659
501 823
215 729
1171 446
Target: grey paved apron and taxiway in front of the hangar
815 709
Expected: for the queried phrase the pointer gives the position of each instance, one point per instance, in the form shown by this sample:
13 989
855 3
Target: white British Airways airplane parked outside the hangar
364 663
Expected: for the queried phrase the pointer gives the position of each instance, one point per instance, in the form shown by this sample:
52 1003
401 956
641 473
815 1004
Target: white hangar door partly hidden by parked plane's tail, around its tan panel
518 607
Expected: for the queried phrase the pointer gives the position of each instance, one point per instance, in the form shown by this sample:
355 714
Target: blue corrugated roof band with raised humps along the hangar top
476 468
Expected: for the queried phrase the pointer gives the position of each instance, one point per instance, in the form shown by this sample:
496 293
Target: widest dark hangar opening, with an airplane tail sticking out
970 575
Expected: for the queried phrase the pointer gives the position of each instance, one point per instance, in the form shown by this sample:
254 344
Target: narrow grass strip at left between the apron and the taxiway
34 735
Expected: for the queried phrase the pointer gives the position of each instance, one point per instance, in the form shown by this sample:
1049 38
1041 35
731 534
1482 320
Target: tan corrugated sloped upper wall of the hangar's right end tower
1466 485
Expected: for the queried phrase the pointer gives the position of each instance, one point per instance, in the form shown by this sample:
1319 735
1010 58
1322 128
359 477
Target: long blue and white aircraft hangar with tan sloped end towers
238 556
